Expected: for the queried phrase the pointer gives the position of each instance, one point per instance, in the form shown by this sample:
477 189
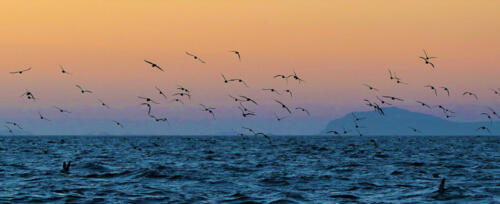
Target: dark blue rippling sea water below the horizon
235 170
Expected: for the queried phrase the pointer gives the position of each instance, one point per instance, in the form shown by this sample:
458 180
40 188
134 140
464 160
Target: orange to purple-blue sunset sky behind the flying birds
335 46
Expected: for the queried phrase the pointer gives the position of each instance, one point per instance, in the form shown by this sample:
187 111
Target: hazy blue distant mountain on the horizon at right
398 121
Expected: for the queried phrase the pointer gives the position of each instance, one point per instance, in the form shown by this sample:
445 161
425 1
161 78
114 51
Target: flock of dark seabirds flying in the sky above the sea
182 94
